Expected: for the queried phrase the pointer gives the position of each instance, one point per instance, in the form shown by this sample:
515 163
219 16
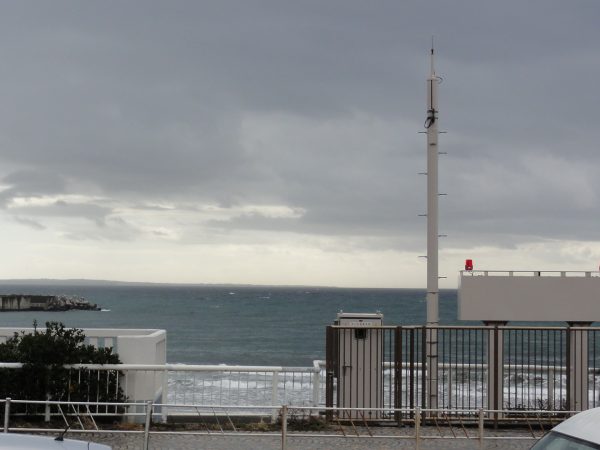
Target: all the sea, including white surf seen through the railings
282 326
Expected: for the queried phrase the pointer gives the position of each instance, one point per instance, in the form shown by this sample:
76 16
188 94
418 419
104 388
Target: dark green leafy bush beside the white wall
44 353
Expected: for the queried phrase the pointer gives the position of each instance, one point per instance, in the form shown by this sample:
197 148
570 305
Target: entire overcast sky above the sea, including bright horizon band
276 142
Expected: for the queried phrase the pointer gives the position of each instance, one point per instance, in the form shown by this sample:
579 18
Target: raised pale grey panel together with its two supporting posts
497 297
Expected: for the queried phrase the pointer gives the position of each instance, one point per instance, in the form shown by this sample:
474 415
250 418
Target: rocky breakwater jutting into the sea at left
24 302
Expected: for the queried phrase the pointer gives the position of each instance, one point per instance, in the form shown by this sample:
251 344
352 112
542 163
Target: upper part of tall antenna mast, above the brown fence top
431 124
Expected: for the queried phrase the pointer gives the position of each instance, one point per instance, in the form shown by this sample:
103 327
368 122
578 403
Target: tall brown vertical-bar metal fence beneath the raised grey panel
494 367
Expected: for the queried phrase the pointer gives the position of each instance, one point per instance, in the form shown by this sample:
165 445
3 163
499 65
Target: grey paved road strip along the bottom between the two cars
297 442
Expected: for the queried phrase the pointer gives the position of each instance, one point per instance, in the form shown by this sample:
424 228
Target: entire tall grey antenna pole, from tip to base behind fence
431 124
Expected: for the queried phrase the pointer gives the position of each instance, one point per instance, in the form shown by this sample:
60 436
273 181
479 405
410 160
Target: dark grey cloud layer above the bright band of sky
146 102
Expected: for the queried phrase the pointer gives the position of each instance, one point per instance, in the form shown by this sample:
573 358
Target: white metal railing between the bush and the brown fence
240 386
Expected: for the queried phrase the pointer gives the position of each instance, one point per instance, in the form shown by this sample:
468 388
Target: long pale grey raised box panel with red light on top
529 298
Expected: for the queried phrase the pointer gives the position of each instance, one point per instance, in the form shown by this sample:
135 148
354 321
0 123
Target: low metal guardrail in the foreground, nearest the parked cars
475 425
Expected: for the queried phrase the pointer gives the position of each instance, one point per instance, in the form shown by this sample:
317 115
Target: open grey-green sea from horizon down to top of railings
249 325
